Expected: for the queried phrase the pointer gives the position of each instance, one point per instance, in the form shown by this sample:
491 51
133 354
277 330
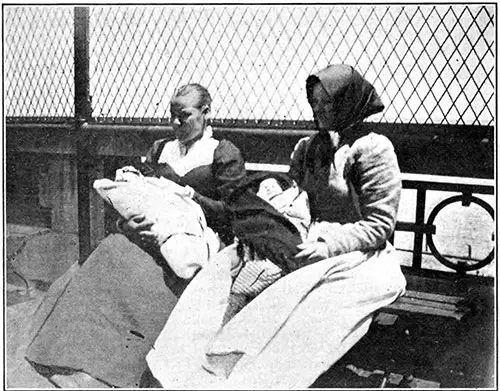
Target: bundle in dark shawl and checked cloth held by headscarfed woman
270 218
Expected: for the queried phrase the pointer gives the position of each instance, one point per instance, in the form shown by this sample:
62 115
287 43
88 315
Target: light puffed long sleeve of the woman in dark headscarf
376 180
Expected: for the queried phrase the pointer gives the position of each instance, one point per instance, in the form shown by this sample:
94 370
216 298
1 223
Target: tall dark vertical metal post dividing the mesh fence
83 112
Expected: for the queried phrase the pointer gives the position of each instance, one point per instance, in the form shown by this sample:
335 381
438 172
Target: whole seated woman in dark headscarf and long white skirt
303 323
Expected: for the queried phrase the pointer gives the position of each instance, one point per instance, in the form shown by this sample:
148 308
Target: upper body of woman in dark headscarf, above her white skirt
351 175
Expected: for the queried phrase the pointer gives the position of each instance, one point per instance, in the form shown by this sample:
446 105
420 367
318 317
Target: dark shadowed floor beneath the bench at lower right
423 351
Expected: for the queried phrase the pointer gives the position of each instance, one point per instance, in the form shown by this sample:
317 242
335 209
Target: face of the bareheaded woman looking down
188 120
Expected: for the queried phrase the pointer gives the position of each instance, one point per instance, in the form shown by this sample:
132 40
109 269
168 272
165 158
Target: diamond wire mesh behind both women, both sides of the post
431 64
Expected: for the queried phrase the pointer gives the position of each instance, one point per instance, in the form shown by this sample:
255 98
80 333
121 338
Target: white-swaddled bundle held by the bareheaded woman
161 201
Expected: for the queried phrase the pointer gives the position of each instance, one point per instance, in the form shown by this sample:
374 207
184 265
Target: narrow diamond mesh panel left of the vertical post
38 63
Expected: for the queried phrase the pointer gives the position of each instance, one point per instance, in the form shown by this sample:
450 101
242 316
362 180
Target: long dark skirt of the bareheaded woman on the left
103 317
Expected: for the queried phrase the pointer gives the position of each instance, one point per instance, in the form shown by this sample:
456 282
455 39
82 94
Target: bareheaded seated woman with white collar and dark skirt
96 325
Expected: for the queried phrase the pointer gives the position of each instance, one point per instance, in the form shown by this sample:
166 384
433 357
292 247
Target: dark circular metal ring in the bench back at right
430 221
